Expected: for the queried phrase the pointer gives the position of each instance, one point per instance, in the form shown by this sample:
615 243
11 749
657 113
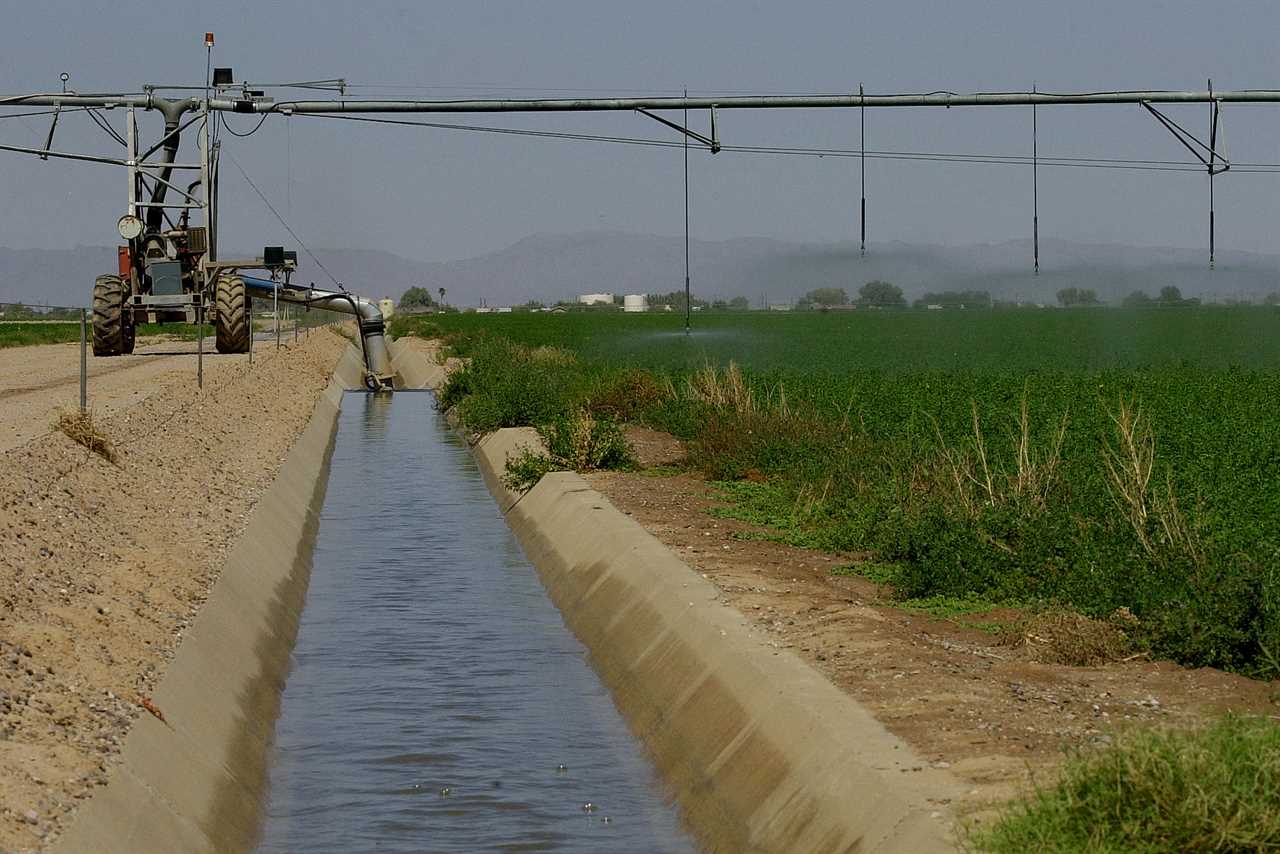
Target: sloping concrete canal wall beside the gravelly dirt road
196 782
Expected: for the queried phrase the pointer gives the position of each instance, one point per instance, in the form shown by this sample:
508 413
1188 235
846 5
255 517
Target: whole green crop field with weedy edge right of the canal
1121 463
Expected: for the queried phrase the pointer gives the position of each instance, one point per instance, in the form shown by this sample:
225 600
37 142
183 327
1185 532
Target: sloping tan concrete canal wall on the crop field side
764 753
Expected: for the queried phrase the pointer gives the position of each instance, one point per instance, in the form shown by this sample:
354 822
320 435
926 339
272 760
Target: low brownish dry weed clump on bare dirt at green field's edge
1062 637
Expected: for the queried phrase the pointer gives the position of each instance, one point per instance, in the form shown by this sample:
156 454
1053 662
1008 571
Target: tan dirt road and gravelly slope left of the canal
103 565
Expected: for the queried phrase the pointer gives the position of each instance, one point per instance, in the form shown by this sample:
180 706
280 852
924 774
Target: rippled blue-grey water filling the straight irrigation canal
437 702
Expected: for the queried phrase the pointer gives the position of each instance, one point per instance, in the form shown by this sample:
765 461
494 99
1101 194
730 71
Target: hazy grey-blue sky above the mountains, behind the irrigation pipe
447 195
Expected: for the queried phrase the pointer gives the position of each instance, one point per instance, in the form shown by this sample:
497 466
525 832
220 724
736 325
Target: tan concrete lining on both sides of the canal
758 751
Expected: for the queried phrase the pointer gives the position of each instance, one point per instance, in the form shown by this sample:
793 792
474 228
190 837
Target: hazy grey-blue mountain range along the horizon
557 267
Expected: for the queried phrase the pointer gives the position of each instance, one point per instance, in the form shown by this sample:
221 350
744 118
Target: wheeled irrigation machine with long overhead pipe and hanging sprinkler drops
171 268
